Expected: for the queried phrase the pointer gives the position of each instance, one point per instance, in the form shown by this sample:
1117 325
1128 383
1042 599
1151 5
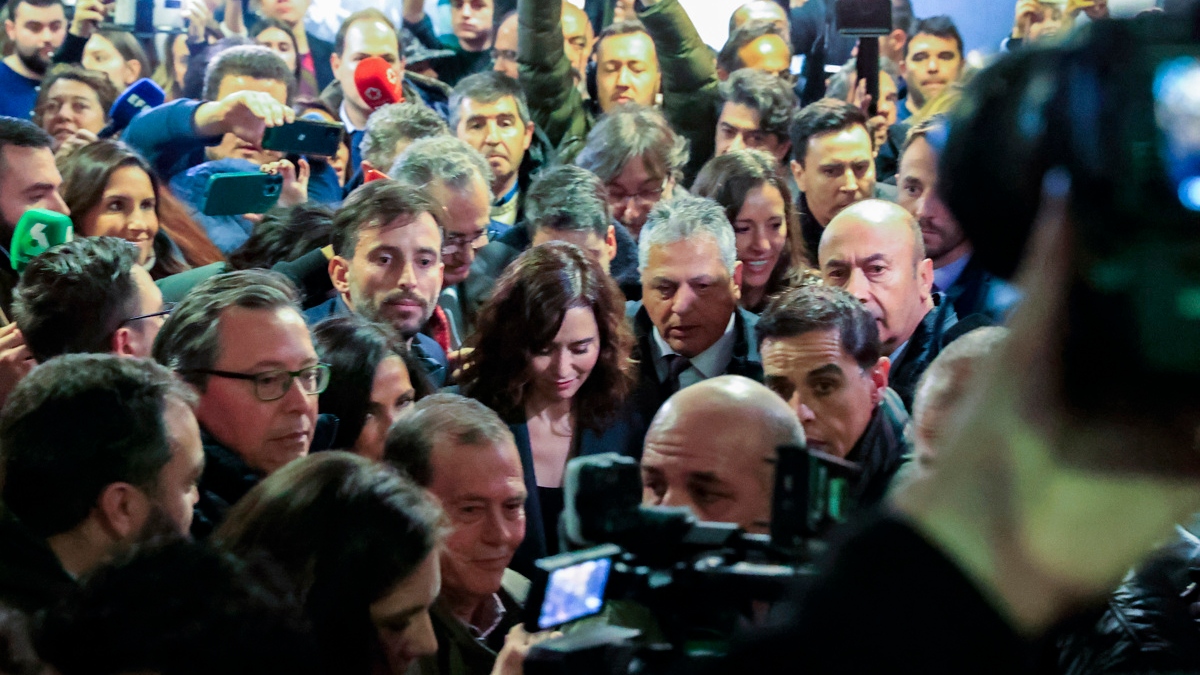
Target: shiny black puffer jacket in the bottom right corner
1150 625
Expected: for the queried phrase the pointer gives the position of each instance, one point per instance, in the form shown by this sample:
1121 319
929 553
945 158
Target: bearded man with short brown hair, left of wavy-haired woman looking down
387 265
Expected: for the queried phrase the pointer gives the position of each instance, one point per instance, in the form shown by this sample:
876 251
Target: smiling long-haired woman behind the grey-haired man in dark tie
759 204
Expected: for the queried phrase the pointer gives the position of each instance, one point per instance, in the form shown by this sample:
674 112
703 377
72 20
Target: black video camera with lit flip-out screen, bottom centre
698 581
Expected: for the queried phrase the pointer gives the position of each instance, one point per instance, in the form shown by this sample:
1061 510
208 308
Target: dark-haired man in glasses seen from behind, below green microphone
88 296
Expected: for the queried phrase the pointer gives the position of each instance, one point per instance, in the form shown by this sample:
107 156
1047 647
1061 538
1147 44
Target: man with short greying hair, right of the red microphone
489 111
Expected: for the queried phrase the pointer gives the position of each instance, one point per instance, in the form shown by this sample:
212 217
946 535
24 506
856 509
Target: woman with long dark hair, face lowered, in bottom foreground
361 545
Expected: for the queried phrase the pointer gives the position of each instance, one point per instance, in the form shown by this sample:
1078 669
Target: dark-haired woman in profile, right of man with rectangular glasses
373 381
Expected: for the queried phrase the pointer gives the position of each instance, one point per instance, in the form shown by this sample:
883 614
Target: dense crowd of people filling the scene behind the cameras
334 437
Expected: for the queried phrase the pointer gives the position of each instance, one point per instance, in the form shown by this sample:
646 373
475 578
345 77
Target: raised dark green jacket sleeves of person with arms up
691 93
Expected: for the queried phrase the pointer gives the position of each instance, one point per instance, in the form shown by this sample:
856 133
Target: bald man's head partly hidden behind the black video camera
711 449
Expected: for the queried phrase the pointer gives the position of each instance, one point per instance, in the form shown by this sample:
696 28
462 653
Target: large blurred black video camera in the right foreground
1117 109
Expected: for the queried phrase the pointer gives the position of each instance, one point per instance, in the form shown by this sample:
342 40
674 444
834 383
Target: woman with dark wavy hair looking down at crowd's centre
551 356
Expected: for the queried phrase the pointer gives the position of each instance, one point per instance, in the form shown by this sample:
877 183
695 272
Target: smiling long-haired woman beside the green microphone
113 192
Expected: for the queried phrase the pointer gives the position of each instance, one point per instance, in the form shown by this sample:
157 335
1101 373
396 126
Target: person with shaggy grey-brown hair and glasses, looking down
639 158
